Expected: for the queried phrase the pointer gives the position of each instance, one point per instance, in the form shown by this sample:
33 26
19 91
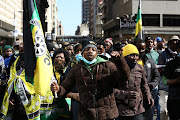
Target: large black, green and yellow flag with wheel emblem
38 63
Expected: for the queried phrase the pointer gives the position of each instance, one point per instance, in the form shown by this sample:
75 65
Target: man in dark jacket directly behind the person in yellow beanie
152 75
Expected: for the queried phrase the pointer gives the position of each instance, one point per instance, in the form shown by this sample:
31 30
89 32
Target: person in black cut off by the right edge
172 73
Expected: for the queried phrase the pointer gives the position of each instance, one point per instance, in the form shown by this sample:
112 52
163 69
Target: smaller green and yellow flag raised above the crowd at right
138 31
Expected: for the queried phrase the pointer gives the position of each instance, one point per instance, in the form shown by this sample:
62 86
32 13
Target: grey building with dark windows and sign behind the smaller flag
159 18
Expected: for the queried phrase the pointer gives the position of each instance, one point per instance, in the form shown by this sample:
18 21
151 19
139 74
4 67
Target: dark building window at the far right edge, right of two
171 20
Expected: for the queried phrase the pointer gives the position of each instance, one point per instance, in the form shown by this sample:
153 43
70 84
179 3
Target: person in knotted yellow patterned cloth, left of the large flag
20 94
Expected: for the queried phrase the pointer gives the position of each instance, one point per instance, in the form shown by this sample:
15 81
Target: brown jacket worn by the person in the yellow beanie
137 82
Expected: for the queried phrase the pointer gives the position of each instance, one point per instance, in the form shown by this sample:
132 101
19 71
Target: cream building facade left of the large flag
11 24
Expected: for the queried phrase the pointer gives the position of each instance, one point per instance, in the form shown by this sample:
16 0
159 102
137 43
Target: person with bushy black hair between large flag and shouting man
60 63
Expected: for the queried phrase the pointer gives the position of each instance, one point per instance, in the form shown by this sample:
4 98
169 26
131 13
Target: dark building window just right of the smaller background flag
151 19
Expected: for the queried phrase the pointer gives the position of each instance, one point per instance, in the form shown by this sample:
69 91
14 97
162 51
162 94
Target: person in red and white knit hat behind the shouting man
109 45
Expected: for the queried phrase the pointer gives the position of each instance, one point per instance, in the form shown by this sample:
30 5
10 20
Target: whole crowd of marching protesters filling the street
102 80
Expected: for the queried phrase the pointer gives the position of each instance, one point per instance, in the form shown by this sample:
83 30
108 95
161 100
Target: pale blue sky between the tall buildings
70 15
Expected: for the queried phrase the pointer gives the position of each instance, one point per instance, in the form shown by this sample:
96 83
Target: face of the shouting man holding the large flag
90 53
